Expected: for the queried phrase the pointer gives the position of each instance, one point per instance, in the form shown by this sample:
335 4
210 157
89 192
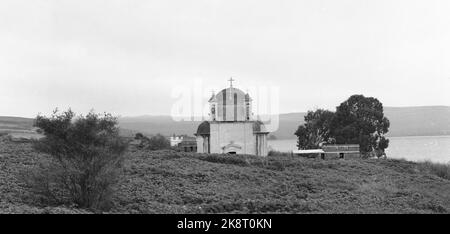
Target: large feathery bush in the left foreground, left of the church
86 155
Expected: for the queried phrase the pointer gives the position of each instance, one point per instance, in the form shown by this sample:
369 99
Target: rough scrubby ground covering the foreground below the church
171 182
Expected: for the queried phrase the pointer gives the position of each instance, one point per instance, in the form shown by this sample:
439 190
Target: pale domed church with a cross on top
231 128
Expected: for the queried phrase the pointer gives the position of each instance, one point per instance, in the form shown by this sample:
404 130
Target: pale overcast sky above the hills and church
125 57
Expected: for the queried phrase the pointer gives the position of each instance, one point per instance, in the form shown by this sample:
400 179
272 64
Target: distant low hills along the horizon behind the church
405 121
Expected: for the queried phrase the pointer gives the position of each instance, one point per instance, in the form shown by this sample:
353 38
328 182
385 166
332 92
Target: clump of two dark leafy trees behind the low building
358 120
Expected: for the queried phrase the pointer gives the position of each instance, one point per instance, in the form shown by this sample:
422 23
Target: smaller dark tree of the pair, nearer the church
316 129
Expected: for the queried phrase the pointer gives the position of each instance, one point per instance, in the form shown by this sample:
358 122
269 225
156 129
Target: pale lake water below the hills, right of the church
432 148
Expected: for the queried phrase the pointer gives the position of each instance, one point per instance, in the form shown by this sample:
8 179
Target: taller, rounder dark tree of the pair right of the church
360 120
